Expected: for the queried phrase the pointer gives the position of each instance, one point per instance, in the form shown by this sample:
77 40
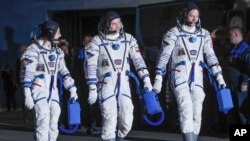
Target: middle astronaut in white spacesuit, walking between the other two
108 58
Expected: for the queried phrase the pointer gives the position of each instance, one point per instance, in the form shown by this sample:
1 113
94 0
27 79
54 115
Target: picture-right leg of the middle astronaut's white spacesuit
126 108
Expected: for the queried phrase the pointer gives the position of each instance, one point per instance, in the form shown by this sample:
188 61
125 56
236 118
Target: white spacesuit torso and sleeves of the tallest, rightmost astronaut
186 51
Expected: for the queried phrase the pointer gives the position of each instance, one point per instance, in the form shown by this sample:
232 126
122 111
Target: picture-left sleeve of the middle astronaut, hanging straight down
90 63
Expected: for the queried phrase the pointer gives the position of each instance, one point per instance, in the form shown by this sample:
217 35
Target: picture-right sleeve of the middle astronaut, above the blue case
137 58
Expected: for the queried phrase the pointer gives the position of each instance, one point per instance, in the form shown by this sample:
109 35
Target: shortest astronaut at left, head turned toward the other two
41 62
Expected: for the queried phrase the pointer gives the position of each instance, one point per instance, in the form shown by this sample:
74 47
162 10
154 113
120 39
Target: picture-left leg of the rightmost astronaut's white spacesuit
185 107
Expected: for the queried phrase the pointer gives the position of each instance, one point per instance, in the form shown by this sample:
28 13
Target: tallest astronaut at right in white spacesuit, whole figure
184 47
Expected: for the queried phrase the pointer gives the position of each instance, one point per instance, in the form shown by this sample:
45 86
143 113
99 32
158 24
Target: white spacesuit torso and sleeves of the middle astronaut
113 60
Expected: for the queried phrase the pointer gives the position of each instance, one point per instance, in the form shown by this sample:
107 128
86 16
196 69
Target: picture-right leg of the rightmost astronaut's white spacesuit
198 98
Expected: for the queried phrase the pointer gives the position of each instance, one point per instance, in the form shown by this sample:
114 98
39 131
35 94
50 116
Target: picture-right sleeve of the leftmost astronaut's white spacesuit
68 81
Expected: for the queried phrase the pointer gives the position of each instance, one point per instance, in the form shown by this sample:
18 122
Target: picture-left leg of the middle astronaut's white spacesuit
108 106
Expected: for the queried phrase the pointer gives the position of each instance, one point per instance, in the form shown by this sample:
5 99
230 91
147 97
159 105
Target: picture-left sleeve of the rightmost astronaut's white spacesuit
168 43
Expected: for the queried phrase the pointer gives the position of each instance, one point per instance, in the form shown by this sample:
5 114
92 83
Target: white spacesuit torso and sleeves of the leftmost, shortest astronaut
40 70
